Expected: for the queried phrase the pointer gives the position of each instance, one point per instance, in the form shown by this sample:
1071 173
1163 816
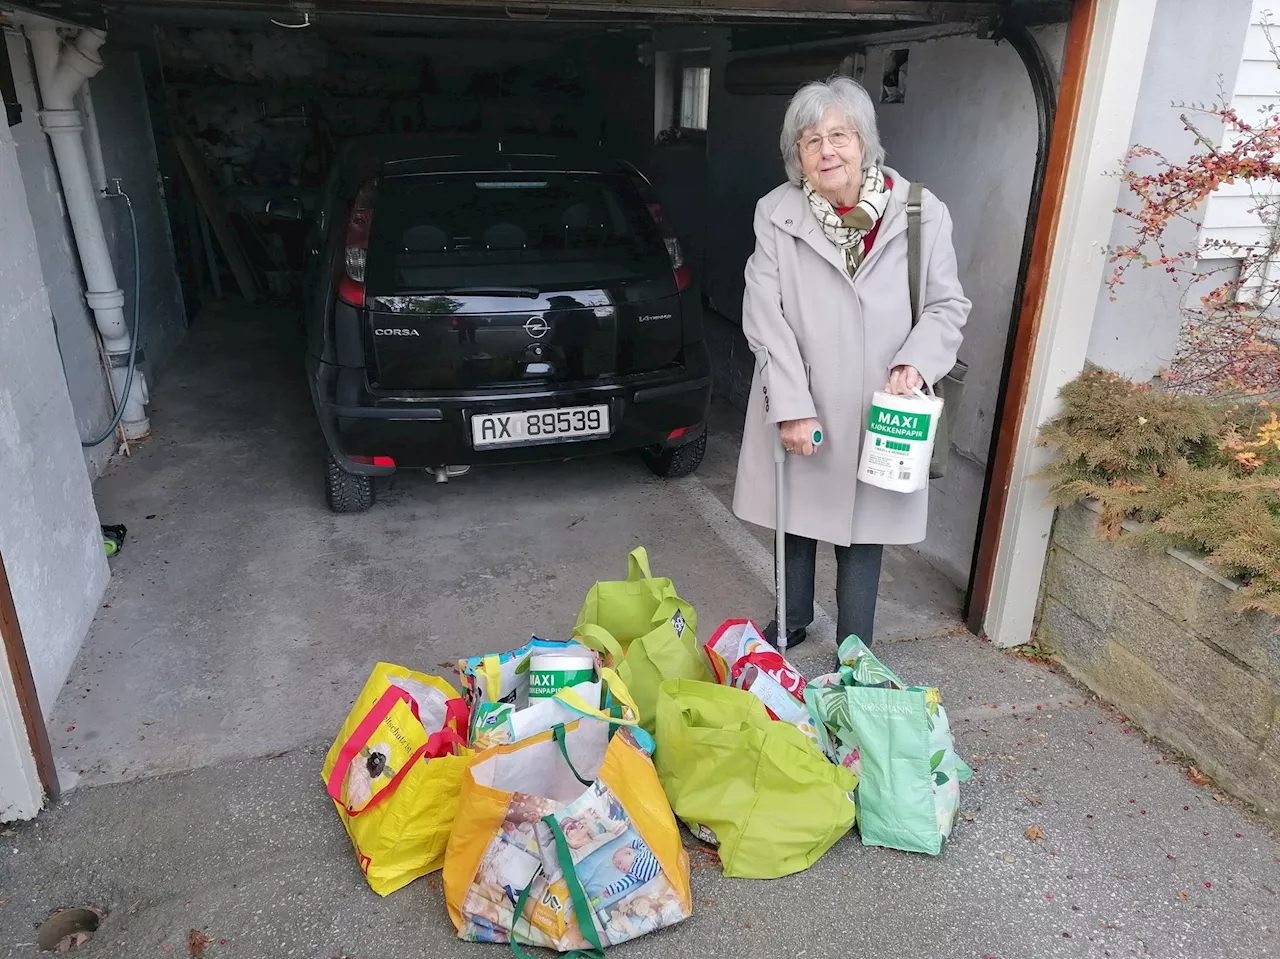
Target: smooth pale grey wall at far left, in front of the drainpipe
49 529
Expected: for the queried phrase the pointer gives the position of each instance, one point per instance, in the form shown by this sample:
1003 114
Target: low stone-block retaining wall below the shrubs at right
1154 633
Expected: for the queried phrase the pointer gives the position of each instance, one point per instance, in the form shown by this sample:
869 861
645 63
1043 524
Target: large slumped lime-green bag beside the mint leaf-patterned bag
756 787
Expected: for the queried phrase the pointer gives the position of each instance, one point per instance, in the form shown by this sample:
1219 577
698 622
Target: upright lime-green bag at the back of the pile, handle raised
646 631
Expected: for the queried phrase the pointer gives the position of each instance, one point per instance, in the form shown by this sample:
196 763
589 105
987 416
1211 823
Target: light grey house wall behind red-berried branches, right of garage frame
1137 335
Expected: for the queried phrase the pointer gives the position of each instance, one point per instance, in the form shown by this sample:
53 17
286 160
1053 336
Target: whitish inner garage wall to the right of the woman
968 130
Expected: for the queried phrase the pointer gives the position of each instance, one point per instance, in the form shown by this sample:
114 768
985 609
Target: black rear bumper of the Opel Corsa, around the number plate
426 432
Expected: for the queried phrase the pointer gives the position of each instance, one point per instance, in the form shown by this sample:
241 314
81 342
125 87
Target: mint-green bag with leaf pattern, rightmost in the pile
897 738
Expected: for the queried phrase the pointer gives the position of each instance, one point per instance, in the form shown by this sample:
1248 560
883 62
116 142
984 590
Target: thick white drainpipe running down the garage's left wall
62 71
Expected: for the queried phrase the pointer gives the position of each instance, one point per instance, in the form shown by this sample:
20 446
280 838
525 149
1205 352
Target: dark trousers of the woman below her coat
857 584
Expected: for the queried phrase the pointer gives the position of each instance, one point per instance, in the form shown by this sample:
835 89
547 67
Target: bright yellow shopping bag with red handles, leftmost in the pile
395 773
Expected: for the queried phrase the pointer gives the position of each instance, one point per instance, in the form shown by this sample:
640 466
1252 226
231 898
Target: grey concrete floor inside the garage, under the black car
244 616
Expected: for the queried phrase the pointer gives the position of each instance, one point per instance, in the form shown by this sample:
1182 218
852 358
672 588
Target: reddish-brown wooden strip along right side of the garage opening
1078 39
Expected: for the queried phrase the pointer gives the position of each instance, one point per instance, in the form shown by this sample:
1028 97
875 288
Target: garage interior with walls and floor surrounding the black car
241 609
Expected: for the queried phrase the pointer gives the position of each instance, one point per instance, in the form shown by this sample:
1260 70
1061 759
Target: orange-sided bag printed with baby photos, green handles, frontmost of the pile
566 842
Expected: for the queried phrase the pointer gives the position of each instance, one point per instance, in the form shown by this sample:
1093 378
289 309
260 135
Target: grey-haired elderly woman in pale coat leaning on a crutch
829 317
